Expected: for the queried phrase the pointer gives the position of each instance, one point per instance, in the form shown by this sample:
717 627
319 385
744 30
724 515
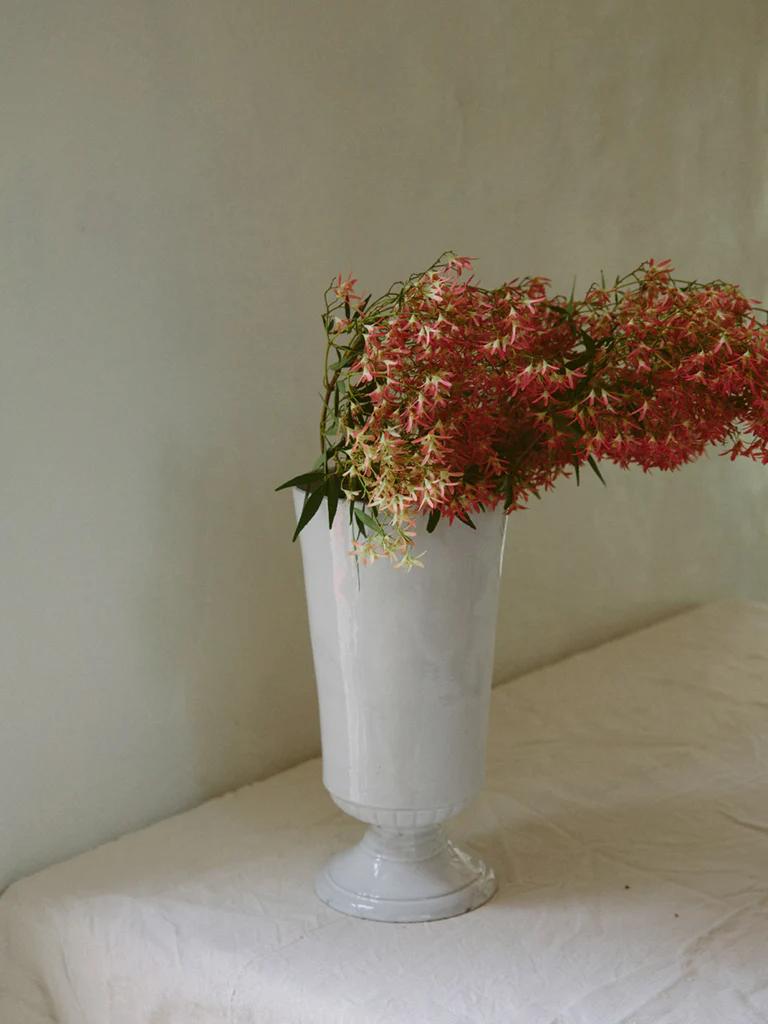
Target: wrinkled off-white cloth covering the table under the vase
626 814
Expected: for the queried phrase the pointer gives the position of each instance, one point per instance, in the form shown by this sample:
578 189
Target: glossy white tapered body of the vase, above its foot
404 664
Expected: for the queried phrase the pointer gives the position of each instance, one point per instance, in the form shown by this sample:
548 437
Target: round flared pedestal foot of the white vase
405 876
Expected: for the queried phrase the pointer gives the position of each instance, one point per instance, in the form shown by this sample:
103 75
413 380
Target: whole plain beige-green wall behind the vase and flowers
180 180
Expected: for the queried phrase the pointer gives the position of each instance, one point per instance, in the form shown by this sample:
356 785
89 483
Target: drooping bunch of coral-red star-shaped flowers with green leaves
444 399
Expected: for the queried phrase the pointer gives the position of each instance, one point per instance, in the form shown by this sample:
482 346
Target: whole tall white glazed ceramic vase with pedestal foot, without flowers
404 665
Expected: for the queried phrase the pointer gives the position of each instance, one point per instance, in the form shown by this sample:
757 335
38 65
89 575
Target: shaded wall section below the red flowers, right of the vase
587 565
